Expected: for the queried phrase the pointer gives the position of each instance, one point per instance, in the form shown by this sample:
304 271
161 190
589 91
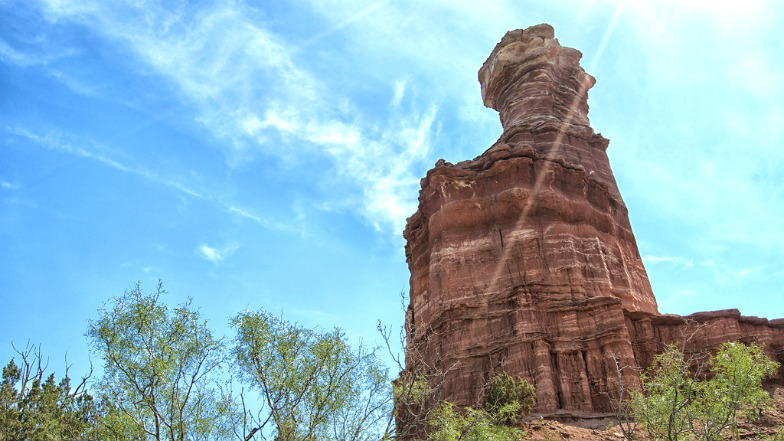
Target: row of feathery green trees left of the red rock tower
166 377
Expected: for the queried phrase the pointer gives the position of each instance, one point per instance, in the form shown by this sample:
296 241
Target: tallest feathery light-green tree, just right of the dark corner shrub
160 367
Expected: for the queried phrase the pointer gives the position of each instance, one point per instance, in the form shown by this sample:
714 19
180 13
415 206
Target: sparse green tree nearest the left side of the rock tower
312 384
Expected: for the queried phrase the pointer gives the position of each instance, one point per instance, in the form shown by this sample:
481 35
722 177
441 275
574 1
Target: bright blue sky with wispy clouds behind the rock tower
266 154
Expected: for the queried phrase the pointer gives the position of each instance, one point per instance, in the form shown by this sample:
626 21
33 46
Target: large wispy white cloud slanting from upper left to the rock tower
251 90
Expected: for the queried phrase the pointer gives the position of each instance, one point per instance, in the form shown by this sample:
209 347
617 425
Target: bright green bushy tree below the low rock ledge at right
677 401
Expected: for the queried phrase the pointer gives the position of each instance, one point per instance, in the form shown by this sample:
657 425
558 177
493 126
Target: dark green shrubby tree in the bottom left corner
35 406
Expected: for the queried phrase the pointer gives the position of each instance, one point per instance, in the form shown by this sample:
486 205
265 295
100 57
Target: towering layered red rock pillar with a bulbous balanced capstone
523 259
